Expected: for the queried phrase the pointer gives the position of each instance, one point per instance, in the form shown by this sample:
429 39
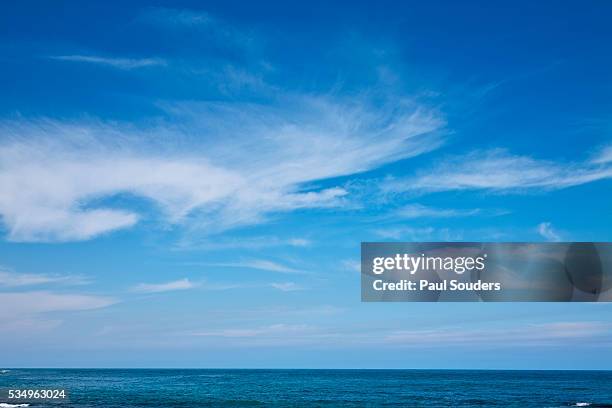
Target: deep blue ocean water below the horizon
297 388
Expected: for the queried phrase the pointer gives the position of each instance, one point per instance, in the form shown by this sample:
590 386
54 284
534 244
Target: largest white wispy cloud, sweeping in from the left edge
52 173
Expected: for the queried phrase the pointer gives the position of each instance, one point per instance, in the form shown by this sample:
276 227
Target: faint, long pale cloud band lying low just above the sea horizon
518 335
